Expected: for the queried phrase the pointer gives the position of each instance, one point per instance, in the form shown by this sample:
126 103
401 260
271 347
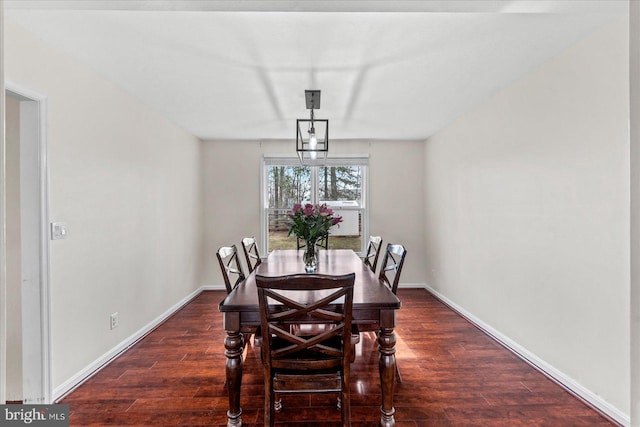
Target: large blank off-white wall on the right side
527 213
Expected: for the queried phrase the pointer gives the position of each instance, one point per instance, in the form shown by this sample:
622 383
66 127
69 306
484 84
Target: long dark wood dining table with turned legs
373 303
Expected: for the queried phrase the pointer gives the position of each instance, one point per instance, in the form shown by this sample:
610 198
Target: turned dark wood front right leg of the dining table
387 365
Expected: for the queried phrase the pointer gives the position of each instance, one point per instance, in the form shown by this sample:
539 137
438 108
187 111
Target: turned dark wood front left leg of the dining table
234 345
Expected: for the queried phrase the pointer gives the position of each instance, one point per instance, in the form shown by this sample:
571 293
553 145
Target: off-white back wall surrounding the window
232 210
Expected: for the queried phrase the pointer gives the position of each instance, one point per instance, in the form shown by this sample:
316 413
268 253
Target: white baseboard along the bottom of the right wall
551 372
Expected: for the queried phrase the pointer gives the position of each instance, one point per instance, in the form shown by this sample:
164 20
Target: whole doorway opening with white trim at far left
27 258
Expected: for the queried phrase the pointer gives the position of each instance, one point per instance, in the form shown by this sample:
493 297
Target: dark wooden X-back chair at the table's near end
315 363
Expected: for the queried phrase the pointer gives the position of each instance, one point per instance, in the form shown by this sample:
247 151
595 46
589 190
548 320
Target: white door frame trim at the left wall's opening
36 298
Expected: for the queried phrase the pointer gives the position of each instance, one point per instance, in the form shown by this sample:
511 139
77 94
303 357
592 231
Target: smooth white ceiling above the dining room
392 70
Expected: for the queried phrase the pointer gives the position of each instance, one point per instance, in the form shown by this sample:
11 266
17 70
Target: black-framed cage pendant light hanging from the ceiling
312 135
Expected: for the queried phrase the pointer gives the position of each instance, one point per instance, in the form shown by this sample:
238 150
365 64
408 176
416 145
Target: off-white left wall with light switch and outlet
127 183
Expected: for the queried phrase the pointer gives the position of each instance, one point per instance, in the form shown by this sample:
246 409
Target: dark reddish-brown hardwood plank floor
453 374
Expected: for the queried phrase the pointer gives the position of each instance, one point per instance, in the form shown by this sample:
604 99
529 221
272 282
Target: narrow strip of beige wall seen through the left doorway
14 262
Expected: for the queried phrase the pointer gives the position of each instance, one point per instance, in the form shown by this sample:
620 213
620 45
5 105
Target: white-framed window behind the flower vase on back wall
341 184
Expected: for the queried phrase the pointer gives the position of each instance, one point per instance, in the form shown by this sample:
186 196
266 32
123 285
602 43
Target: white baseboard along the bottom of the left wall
75 381
